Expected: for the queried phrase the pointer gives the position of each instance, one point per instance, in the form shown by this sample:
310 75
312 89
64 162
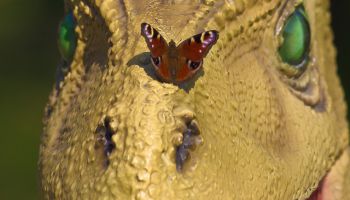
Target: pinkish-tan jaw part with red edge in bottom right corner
331 186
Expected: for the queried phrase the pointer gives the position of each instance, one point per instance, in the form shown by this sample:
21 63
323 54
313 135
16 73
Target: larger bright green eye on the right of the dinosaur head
296 39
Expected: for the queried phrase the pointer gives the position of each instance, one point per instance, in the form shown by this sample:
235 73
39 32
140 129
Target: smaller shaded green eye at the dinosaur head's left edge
67 40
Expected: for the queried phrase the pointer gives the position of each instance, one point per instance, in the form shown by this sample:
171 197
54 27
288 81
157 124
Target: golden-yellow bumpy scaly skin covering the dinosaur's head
262 135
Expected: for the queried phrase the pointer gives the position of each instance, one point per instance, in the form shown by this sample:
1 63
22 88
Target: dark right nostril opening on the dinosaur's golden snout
191 139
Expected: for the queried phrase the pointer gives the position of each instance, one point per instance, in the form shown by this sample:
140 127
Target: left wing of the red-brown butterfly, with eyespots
158 48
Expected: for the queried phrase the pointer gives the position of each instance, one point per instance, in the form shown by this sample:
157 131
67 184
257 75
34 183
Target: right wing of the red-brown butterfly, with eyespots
191 53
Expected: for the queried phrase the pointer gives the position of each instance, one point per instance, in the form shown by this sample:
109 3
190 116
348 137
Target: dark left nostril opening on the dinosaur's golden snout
104 141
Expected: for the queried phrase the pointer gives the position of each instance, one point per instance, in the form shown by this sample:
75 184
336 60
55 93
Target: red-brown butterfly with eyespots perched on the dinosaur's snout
177 64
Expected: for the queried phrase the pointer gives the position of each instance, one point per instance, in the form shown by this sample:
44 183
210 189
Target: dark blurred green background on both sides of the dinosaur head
28 59
